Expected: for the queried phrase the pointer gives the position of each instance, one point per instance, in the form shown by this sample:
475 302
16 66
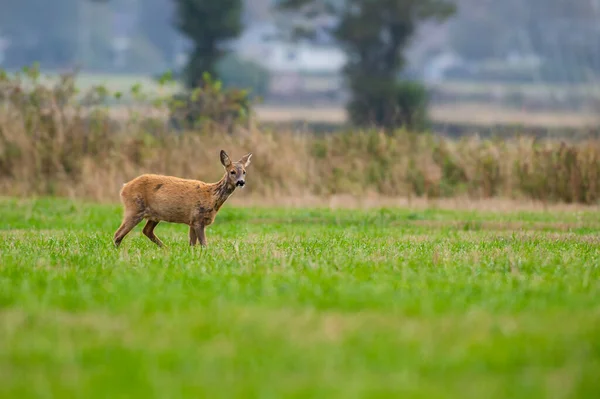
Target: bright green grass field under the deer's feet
300 303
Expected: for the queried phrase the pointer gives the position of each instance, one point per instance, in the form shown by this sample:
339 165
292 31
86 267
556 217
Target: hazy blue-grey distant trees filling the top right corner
563 33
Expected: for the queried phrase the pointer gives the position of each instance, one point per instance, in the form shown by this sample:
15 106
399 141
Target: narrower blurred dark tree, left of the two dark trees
209 24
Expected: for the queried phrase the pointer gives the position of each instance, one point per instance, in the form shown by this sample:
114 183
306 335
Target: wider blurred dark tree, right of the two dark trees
373 34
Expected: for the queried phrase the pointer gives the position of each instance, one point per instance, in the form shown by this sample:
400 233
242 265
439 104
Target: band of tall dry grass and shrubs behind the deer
51 143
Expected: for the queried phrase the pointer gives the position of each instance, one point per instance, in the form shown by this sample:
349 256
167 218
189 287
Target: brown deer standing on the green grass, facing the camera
171 199
